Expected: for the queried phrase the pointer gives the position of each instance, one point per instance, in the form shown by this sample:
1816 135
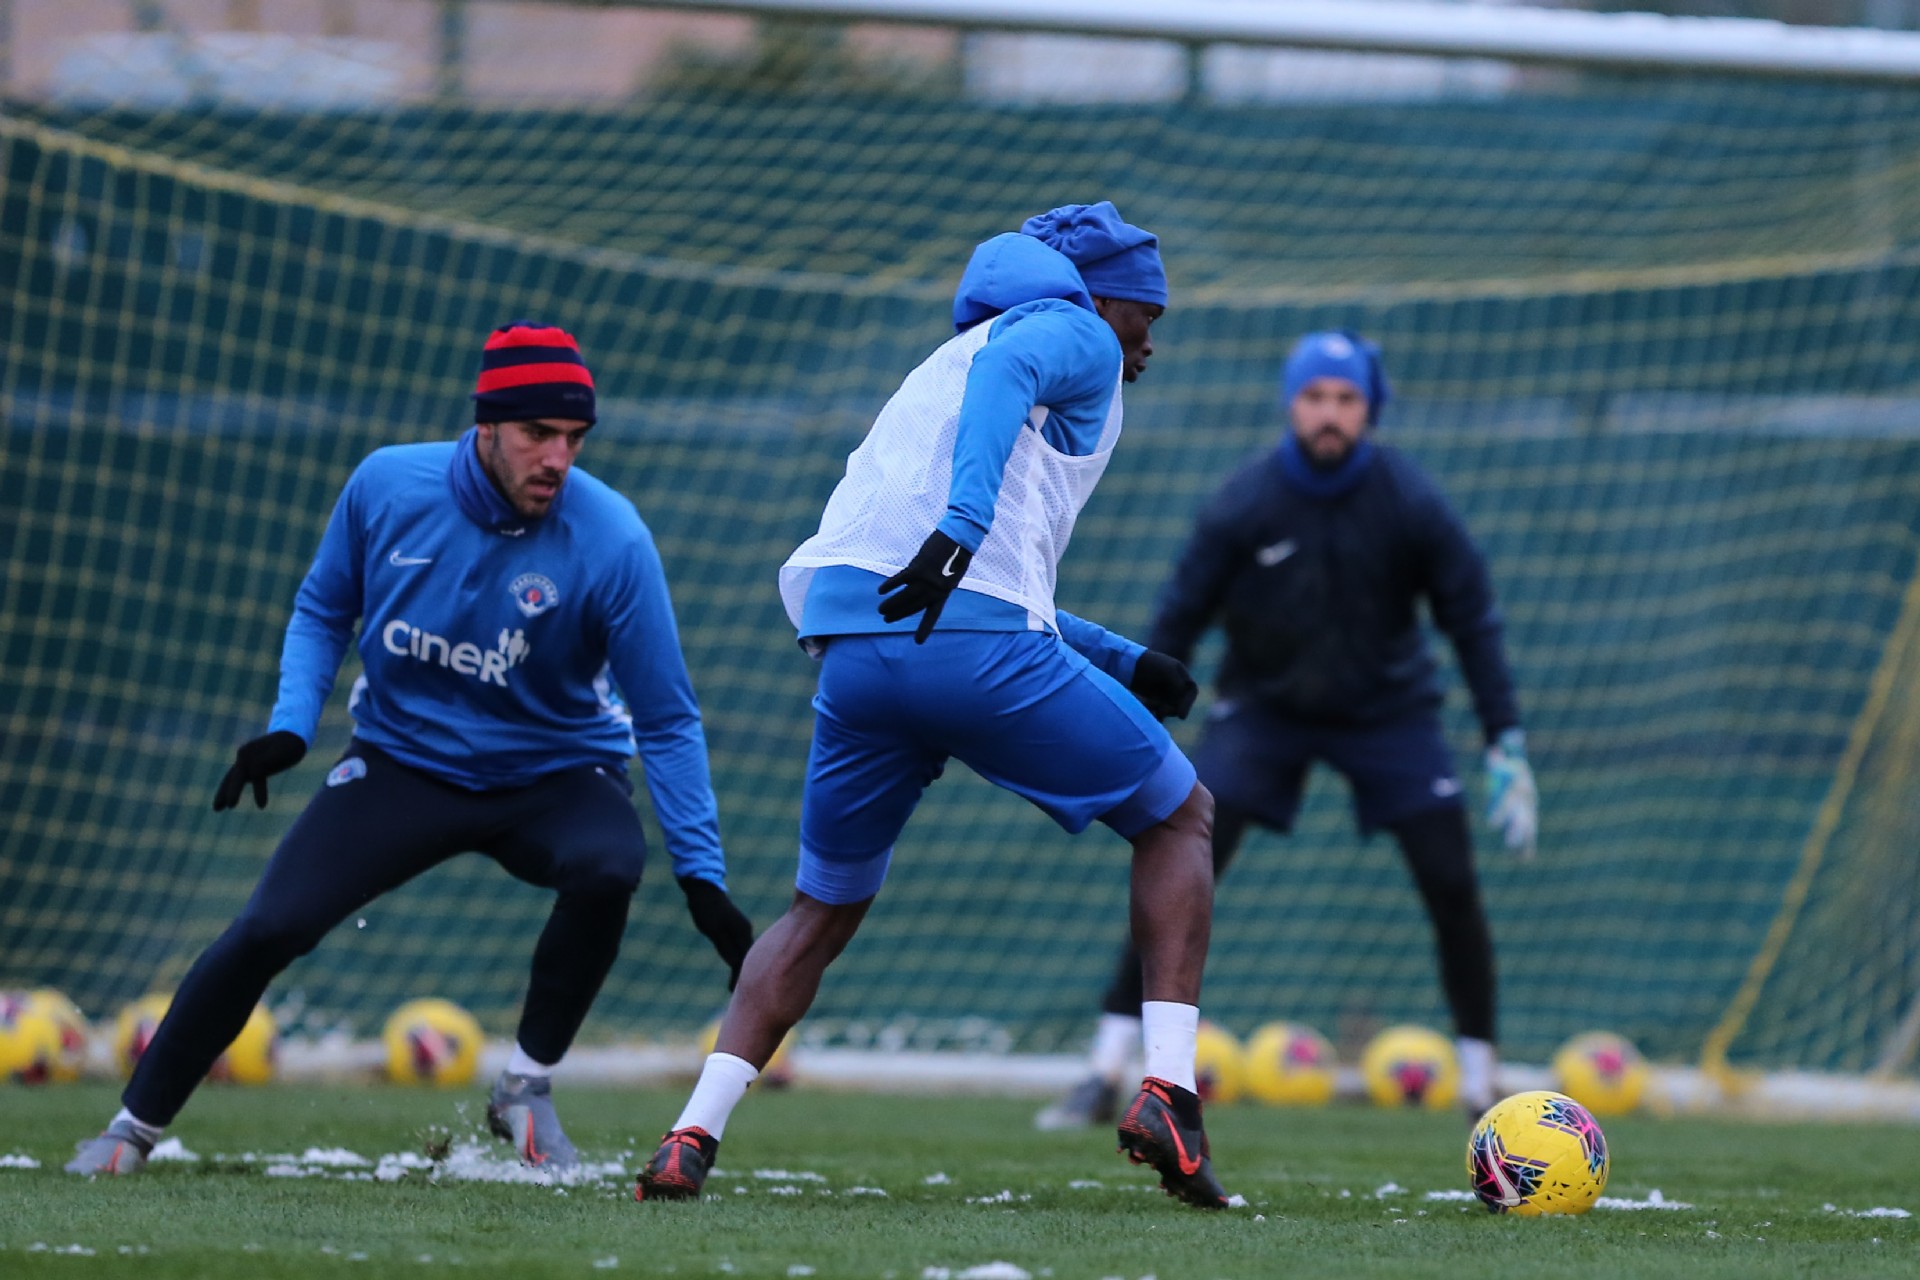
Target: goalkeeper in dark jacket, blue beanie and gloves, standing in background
1314 559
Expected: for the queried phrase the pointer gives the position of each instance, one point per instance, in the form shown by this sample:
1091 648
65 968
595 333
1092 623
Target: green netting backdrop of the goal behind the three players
1658 339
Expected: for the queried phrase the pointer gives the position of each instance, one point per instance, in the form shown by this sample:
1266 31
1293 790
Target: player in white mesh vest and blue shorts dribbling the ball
928 598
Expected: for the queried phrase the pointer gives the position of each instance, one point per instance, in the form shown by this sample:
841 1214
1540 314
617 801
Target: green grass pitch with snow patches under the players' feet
919 1189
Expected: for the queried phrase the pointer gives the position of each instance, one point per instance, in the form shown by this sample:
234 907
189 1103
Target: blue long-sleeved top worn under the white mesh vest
1038 354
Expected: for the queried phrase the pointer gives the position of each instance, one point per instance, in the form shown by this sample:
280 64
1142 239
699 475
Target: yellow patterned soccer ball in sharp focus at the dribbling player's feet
1537 1154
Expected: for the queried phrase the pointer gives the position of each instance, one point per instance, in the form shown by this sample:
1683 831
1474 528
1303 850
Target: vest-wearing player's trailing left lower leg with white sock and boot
777 987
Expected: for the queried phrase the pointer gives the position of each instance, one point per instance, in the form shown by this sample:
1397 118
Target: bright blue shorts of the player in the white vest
1020 709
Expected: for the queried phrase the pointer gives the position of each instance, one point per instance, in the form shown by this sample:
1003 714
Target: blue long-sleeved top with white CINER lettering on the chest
489 640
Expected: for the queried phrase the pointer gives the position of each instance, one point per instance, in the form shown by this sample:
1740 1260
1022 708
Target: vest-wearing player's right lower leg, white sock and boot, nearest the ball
1172 924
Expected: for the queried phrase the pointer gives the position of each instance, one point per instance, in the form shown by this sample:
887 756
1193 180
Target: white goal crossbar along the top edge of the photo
1516 34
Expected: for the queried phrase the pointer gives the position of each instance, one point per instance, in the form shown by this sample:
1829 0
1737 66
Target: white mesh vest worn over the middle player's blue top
898 485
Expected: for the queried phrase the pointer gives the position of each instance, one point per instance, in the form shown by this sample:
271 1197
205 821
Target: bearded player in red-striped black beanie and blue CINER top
498 590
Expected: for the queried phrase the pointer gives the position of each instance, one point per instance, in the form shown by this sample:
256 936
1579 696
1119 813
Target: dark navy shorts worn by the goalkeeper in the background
1257 763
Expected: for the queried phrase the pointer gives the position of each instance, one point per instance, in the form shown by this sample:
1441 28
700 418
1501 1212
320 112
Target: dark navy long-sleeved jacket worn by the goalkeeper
1320 594
